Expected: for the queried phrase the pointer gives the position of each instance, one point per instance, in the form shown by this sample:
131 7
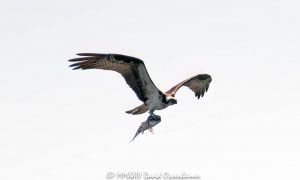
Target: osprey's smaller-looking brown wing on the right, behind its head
199 84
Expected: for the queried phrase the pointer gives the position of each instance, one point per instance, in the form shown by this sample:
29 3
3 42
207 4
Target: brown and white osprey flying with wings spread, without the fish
136 76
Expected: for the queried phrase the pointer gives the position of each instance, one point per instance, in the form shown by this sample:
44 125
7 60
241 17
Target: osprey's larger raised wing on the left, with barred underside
132 69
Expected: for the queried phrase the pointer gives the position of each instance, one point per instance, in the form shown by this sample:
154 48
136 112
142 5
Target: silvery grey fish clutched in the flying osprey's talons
151 121
